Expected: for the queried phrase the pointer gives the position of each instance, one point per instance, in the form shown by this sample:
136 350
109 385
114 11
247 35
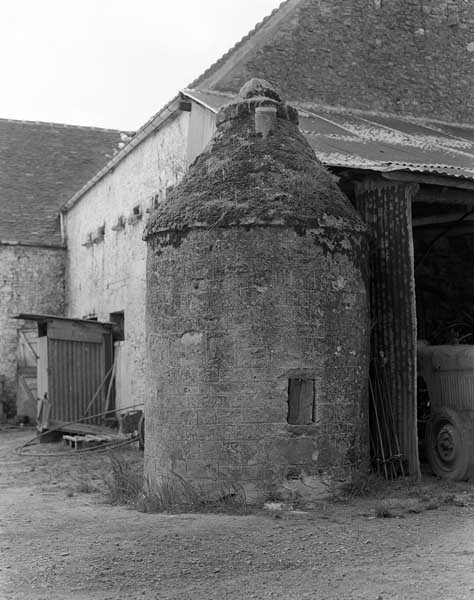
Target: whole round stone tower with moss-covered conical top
257 312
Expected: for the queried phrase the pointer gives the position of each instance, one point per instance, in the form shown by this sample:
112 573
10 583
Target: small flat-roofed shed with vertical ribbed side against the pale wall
74 368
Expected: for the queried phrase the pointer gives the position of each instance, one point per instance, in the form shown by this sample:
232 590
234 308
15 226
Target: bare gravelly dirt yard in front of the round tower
59 539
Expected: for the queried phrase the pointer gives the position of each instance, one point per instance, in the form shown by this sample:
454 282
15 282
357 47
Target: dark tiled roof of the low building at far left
41 166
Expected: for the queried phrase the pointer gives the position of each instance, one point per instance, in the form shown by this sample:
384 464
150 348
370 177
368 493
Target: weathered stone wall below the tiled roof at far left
31 280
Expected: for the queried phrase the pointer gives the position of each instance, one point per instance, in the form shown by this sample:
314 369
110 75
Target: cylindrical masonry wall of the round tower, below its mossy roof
231 316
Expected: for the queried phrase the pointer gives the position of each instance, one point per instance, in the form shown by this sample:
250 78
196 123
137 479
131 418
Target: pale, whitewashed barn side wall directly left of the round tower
106 273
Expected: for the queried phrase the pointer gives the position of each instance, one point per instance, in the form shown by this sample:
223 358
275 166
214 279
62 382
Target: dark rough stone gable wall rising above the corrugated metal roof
407 56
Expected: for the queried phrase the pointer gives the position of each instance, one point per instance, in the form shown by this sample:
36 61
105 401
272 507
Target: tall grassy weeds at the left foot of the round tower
127 485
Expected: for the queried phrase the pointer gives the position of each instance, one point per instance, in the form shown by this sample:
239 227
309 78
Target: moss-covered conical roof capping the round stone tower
244 178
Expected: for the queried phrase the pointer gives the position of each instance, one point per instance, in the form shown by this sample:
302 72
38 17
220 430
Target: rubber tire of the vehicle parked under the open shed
449 444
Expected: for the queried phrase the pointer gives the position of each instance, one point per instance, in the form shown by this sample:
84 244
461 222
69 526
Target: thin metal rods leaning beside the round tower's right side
387 458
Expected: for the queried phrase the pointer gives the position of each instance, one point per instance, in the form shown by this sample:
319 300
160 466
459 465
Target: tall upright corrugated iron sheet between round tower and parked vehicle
387 211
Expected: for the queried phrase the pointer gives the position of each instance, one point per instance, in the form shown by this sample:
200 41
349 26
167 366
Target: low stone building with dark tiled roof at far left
41 165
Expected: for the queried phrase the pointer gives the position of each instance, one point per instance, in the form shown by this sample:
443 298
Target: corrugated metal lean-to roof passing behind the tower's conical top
377 142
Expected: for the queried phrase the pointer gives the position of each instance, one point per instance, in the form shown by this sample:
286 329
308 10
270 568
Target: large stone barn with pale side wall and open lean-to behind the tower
384 91
